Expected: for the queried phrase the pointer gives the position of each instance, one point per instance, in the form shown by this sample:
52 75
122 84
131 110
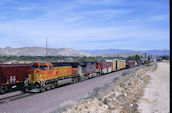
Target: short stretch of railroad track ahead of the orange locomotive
14 97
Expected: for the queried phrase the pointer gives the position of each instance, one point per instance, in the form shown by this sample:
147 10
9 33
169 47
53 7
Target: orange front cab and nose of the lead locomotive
38 75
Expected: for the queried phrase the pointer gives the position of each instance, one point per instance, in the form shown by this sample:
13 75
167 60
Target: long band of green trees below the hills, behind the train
71 58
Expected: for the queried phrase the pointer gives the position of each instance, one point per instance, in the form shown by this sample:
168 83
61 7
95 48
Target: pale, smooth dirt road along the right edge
156 96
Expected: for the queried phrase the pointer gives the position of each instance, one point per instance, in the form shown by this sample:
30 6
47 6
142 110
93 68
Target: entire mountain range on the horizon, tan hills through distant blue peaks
40 51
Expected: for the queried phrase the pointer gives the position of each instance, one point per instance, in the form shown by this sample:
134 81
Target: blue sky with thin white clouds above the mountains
85 24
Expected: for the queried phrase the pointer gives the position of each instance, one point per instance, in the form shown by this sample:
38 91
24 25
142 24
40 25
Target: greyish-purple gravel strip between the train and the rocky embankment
57 98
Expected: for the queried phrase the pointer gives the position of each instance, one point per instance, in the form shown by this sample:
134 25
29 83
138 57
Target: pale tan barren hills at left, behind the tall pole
40 51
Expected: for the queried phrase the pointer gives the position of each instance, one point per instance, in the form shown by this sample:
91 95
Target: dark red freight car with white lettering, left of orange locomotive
12 76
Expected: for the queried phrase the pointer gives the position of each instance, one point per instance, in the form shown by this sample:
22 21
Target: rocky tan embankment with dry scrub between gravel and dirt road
120 96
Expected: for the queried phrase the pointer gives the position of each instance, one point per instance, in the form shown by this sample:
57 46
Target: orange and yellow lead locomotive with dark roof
44 76
